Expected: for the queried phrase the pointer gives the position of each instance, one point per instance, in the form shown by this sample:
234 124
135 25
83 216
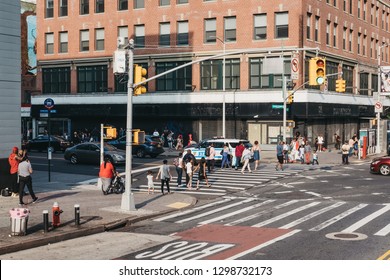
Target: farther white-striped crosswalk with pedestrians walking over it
222 181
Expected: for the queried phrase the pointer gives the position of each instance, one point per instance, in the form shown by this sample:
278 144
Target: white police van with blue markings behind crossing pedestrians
199 150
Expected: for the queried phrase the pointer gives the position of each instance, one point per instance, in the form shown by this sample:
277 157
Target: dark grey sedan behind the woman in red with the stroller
89 152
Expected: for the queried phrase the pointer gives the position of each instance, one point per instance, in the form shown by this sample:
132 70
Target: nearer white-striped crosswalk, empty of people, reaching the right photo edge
309 215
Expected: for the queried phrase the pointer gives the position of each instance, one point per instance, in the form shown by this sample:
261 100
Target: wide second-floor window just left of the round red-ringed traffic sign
259 78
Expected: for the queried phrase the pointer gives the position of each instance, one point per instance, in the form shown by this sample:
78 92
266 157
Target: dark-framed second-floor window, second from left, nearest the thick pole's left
92 78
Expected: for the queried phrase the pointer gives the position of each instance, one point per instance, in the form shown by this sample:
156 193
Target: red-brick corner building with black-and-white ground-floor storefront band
77 40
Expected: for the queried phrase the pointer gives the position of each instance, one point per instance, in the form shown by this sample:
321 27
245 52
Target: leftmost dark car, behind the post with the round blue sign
41 143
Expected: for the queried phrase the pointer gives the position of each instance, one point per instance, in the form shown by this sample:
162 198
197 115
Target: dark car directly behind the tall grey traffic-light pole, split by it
152 146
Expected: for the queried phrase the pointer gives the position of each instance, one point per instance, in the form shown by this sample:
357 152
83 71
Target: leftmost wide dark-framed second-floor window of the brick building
56 80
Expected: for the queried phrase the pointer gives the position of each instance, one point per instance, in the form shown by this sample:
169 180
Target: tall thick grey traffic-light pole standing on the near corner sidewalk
127 196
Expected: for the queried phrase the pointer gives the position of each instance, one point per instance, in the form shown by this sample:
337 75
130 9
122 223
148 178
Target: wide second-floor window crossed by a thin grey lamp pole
212 74
